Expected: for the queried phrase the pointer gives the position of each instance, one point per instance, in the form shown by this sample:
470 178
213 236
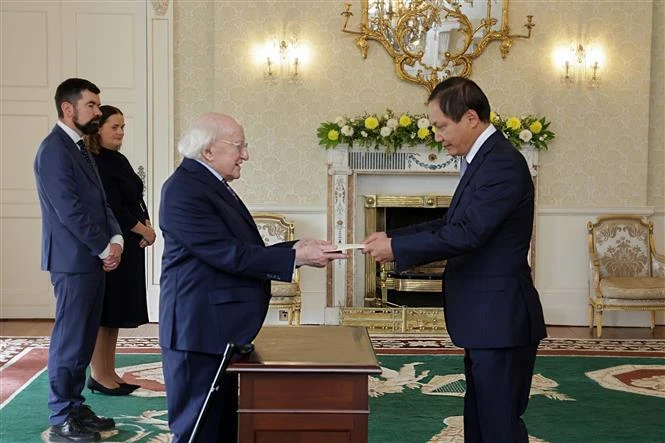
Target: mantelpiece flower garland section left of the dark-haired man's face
389 130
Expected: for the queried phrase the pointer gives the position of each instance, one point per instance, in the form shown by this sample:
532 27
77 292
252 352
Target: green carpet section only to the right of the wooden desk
565 405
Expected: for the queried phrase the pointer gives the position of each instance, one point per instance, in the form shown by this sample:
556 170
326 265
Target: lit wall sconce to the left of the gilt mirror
283 59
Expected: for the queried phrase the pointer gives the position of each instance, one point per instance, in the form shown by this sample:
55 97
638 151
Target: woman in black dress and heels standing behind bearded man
125 304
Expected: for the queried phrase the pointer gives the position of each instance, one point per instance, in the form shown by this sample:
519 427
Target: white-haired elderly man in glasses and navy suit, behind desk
216 274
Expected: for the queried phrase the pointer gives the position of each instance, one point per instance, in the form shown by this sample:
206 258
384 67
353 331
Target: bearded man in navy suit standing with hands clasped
80 240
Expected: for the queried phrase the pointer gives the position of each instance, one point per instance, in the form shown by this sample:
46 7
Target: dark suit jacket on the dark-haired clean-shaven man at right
489 297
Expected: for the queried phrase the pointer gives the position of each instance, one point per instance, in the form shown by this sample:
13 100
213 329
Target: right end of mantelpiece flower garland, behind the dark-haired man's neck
523 130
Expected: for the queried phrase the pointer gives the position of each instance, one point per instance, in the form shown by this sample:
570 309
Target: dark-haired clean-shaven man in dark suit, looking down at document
491 306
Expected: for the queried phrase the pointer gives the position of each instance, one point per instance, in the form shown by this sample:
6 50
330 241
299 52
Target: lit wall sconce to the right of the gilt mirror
579 64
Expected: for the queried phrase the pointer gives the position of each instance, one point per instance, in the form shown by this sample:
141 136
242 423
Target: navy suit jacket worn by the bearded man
77 222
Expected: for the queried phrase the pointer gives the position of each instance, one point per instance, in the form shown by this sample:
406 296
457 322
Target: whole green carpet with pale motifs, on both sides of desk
566 405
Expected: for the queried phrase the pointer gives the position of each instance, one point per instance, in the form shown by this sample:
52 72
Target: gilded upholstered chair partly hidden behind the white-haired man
275 228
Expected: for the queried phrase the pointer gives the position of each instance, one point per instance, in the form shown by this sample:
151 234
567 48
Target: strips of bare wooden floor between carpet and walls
43 327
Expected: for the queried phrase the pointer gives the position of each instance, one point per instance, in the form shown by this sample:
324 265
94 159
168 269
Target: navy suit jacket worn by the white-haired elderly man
216 270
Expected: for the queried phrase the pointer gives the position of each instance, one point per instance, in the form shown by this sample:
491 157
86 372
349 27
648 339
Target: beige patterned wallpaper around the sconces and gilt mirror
610 145
